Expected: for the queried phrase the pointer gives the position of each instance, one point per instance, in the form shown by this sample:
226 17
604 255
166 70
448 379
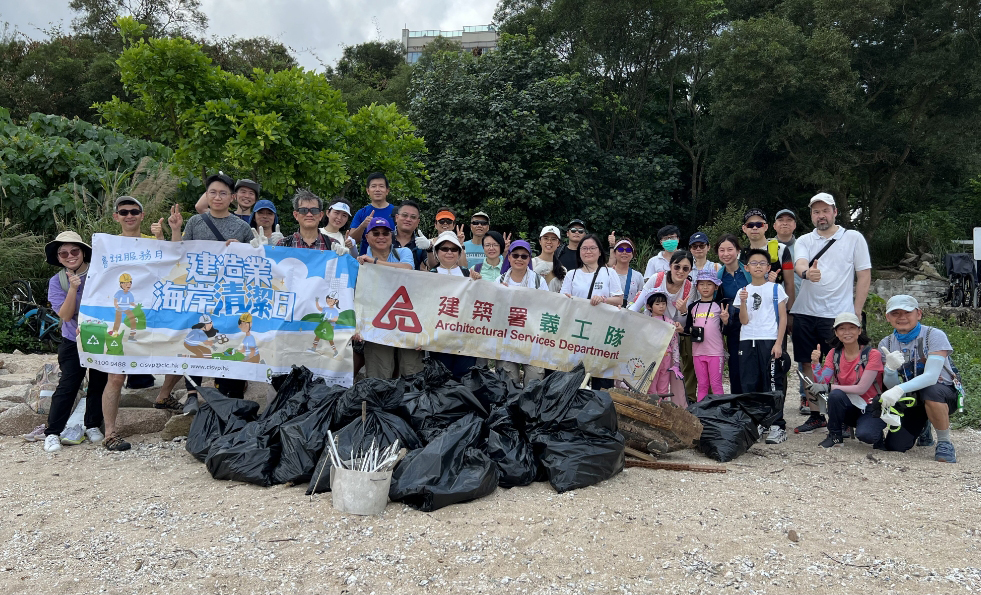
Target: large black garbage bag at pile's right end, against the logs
572 431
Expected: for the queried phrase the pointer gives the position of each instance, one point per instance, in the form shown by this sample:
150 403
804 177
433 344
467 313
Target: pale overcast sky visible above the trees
316 30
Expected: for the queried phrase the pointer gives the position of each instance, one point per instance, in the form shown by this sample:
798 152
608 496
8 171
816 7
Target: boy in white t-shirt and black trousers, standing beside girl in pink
763 315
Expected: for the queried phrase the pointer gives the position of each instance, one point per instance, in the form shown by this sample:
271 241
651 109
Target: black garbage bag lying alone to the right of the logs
730 422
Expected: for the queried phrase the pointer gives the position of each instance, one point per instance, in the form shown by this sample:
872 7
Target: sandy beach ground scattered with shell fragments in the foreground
785 518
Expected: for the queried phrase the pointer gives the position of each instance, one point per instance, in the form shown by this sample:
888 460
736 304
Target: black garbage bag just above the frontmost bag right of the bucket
432 410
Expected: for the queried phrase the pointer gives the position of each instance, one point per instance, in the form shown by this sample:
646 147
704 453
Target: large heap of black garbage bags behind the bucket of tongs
464 439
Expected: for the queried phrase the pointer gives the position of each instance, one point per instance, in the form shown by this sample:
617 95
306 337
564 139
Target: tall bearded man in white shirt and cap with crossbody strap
836 269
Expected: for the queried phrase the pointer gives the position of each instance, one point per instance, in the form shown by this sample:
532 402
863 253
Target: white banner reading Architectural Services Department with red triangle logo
413 309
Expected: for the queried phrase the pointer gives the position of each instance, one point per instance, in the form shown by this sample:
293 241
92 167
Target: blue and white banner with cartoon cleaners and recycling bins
204 309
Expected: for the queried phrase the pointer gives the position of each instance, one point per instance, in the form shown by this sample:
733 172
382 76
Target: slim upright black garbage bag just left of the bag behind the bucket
302 438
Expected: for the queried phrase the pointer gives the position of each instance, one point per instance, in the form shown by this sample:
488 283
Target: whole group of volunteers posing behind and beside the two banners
738 314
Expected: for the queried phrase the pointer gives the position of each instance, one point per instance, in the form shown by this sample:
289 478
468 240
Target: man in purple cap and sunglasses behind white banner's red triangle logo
385 361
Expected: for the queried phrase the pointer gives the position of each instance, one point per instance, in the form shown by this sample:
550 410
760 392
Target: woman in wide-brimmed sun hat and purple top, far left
73 255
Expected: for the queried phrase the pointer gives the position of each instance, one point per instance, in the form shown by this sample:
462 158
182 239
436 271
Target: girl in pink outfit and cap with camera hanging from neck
705 322
